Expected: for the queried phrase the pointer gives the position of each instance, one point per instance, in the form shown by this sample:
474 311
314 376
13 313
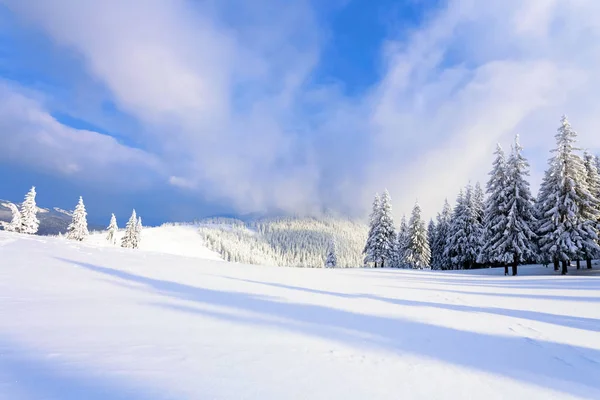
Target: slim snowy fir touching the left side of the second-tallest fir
496 211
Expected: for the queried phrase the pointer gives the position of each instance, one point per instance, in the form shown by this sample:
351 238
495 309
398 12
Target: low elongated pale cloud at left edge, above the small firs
30 136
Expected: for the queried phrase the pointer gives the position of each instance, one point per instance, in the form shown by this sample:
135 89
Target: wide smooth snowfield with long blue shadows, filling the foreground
79 321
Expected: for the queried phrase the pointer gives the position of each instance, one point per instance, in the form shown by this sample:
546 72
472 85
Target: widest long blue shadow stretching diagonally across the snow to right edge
565 368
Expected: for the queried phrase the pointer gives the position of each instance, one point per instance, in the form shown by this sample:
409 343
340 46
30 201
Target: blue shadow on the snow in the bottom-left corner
27 376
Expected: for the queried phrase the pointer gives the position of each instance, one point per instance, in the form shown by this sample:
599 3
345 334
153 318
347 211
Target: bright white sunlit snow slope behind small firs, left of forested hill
181 240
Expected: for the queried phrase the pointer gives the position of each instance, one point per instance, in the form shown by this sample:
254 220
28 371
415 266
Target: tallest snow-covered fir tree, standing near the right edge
567 209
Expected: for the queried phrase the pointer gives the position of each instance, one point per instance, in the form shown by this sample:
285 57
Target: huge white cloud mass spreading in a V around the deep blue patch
229 106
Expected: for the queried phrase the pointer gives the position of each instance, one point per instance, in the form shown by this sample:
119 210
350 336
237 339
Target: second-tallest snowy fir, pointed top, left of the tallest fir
518 242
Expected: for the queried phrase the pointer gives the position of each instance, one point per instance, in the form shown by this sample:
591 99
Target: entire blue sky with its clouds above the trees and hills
184 108
